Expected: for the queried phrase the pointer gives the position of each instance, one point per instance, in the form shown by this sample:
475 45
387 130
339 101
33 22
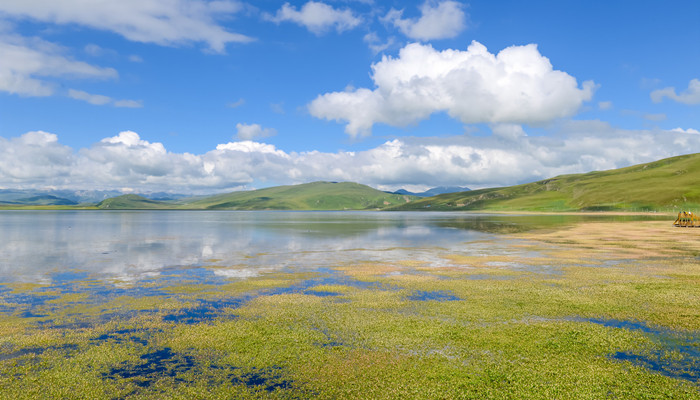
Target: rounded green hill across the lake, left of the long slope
309 196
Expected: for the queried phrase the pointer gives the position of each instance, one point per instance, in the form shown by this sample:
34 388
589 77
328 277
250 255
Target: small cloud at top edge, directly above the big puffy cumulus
438 20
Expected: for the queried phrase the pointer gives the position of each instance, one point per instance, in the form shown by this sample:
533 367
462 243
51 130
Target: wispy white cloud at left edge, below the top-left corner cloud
28 64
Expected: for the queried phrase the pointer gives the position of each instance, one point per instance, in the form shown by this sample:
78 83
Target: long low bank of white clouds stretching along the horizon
509 156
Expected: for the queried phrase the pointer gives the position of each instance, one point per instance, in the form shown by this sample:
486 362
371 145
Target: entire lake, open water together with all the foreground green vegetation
347 305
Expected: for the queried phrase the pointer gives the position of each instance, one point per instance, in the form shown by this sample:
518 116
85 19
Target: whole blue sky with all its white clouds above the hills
198 96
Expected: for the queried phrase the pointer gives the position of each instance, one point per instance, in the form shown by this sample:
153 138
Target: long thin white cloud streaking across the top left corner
164 22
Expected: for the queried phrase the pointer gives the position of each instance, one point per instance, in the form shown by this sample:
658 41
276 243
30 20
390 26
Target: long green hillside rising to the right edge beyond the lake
665 185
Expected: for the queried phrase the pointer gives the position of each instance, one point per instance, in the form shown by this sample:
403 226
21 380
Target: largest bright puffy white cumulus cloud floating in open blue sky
518 85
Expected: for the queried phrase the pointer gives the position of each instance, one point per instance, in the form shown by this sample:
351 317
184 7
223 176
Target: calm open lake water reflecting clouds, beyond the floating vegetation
44 246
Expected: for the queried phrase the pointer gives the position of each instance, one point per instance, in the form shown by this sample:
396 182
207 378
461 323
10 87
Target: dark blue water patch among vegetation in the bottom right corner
679 356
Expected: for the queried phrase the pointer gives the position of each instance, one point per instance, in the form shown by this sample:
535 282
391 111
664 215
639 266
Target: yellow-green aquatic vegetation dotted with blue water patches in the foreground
588 311
